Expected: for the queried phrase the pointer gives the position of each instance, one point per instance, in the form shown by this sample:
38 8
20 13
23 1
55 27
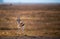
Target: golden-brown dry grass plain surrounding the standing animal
39 20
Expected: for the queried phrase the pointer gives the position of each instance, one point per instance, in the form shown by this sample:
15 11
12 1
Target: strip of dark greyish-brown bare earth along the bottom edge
29 37
